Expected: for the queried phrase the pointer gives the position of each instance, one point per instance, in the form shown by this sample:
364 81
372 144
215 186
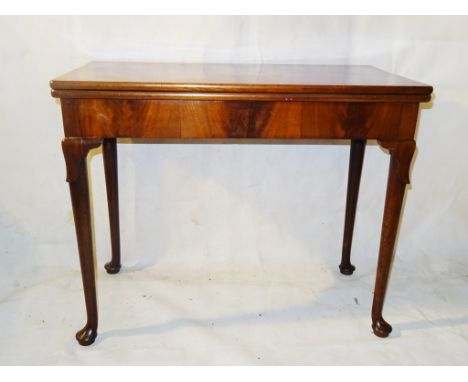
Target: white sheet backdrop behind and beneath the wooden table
230 252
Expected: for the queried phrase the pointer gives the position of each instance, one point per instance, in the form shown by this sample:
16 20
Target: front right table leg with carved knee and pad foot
401 155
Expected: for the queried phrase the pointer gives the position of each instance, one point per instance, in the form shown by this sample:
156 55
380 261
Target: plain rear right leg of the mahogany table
356 158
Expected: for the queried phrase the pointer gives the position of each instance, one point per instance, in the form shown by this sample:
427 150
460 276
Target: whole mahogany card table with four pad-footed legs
240 103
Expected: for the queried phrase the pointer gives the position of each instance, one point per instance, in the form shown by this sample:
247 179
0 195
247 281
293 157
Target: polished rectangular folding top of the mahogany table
237 78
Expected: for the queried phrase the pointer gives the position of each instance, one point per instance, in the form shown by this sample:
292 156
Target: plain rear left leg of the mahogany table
109 152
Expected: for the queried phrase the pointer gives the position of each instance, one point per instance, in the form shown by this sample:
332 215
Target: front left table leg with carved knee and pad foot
75 151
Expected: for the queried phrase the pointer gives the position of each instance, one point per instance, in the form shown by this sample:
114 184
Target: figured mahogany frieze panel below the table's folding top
189 119
